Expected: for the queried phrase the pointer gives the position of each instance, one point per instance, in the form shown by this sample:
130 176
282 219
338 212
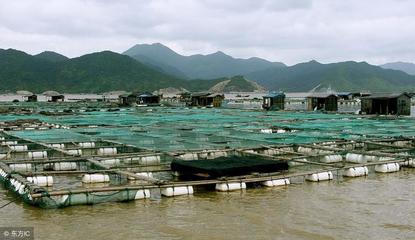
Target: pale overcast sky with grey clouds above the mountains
290 31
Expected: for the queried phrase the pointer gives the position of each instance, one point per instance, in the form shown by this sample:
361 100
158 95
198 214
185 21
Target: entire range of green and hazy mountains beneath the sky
149 67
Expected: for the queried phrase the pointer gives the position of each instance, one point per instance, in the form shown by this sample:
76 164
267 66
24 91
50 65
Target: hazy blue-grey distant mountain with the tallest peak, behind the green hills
198 66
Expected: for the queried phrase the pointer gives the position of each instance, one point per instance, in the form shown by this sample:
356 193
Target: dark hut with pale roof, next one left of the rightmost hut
322 101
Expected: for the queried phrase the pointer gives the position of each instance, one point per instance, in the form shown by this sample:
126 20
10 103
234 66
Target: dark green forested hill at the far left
96 72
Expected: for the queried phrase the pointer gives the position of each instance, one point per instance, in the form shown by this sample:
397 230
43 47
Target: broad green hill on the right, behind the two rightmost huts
343 76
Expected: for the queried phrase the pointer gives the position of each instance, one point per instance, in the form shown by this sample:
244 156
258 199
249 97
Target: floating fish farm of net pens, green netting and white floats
65 154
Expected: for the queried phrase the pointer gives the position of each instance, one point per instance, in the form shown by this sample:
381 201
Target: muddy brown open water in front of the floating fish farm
380 206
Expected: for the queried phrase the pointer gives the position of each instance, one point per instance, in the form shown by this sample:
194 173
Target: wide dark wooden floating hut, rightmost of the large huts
387 104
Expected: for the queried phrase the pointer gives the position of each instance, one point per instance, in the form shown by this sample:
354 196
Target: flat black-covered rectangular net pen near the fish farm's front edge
227 166
